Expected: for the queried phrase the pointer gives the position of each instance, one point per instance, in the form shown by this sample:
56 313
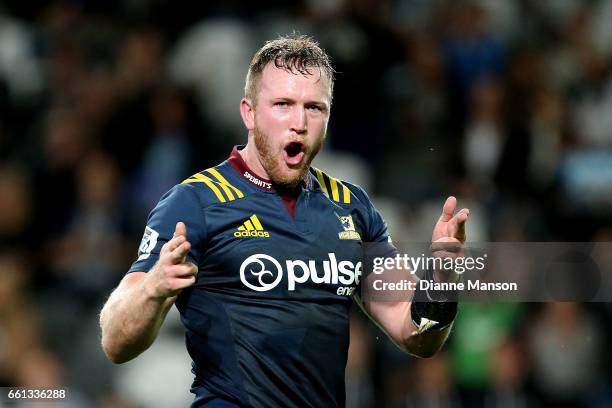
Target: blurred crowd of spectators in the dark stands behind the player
105 105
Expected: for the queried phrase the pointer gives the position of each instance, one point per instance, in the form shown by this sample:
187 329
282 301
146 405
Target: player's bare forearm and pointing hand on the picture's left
134 312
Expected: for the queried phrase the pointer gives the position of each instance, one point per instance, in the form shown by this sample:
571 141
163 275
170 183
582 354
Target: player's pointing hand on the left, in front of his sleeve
171 274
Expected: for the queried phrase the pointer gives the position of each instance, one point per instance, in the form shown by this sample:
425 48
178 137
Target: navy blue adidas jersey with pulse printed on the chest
267 321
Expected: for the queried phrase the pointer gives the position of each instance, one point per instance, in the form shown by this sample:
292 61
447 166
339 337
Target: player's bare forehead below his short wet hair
280 83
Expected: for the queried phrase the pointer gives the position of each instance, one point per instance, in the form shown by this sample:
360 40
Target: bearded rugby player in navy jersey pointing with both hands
262 254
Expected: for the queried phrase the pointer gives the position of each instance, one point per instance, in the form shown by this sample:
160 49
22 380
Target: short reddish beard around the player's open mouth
284 177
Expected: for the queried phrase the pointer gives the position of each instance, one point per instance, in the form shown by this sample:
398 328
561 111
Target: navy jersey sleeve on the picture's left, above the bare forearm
181 203
